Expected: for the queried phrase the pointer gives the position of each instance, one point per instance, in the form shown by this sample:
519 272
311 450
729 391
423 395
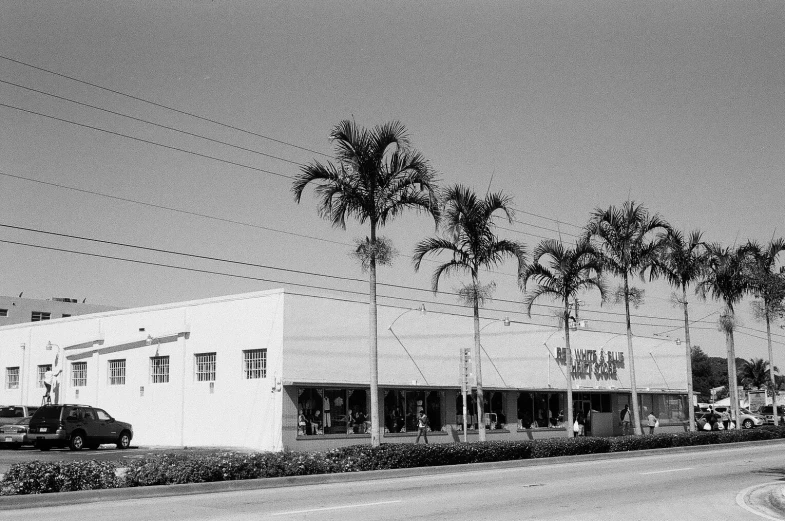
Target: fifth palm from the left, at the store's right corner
681 262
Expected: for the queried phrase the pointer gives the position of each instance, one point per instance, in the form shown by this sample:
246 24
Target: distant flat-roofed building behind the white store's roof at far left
18 310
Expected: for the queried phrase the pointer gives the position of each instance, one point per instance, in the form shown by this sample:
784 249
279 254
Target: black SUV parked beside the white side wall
77 426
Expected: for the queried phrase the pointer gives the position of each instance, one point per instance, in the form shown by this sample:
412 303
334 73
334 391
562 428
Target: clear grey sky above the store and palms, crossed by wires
565 106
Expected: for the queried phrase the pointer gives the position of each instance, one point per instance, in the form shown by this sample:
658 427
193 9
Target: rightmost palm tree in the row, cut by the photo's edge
770 288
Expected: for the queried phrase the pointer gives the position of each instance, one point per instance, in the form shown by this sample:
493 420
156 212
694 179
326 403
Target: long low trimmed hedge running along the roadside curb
183 467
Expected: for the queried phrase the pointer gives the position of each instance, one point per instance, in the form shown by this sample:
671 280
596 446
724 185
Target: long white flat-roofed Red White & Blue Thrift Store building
273 370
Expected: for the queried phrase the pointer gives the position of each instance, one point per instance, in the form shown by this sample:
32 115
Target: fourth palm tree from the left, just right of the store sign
624 238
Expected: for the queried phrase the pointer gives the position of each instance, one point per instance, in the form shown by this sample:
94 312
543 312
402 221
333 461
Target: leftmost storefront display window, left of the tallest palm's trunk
332 411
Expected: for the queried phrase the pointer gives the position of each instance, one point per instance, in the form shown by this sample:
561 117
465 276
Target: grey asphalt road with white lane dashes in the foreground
700 484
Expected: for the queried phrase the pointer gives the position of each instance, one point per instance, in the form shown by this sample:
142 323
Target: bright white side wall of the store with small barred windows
238 413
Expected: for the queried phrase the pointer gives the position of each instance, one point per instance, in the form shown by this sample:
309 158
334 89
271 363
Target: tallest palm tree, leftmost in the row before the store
376 177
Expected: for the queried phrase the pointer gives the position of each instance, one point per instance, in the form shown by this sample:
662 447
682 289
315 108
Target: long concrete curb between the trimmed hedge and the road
122 494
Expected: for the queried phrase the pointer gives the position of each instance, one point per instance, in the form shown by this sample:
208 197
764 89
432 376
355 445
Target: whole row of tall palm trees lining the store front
377 174
